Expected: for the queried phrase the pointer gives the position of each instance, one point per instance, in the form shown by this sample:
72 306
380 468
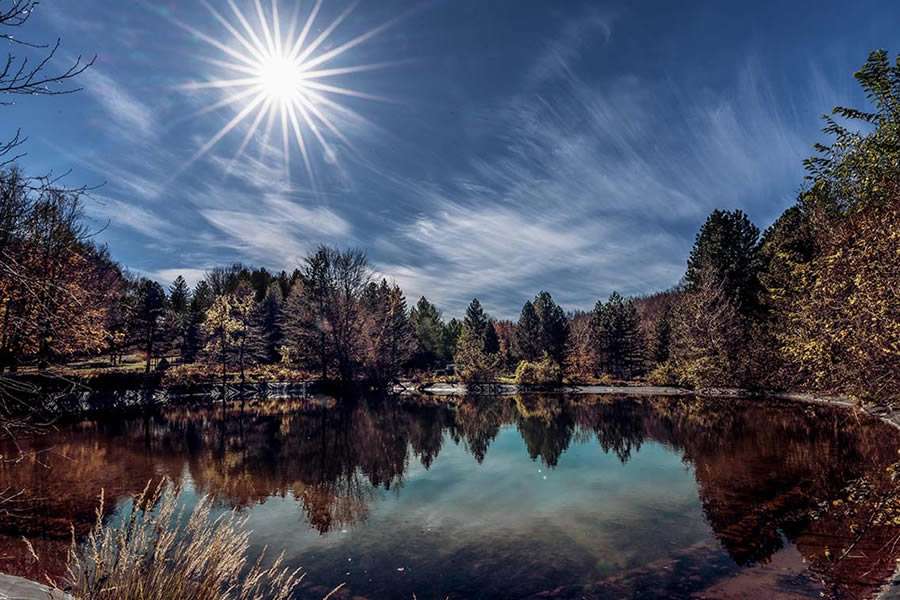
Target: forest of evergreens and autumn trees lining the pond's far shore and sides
810 303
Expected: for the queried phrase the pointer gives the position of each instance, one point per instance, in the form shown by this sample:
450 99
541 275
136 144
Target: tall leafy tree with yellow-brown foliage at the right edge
833 274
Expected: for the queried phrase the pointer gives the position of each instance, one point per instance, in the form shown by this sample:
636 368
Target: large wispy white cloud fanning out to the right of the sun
598 187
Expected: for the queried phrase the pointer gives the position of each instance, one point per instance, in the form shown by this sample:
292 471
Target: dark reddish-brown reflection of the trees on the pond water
766 473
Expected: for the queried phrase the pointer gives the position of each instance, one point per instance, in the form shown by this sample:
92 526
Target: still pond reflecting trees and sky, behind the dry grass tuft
533 496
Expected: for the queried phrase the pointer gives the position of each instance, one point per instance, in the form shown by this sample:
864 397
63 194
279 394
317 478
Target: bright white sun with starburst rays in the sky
274 73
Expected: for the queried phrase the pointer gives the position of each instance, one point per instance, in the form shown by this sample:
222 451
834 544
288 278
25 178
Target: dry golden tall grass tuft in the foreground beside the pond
153 554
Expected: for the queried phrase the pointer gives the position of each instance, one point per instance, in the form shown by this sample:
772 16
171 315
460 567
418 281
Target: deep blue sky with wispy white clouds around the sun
569 146
